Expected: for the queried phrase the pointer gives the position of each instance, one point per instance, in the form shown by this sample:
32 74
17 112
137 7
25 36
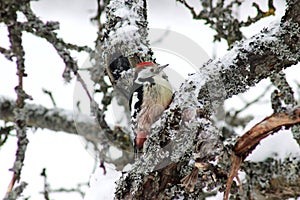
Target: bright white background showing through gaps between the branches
63 155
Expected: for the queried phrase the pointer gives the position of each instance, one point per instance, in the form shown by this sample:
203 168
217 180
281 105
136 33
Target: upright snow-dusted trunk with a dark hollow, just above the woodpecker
125 41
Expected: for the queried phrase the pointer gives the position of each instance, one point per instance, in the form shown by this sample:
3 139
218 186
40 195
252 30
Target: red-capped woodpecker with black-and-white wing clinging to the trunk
152 94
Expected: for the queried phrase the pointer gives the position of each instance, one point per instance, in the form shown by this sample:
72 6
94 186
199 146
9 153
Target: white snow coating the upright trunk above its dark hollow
127 34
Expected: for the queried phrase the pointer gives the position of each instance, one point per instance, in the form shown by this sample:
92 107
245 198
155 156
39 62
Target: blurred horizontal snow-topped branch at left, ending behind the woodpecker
57 119
